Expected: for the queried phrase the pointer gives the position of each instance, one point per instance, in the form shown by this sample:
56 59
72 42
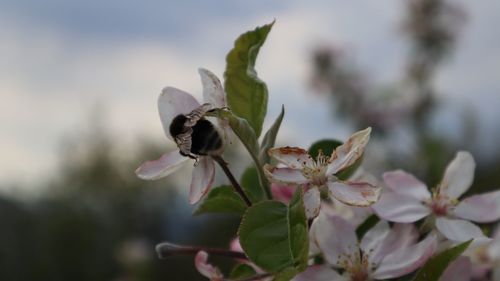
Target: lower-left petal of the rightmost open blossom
399 208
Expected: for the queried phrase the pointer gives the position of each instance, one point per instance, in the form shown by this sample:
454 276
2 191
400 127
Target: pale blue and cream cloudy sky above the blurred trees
60 59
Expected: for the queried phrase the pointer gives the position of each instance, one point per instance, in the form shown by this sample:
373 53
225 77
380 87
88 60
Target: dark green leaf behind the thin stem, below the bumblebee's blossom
222 199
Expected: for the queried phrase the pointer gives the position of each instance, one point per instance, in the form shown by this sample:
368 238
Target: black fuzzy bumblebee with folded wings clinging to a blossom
195 135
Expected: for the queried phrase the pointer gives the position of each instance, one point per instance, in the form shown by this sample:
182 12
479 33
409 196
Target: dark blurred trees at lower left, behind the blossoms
97 221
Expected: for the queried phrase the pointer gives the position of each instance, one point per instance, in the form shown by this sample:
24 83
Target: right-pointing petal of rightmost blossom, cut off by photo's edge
480 208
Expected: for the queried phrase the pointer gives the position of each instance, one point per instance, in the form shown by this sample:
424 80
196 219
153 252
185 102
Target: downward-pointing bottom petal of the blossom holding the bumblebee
202 179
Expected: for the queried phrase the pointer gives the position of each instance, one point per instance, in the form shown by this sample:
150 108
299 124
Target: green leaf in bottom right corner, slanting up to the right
436 265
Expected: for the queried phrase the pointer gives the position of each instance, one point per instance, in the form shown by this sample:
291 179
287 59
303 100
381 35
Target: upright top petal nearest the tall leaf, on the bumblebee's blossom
213 92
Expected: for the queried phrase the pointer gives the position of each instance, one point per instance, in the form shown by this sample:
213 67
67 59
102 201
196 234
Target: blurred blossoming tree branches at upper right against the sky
431 26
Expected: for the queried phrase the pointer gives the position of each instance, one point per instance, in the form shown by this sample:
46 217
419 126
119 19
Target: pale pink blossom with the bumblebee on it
171 104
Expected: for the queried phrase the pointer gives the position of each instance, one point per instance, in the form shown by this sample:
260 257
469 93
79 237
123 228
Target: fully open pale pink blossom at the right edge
407 200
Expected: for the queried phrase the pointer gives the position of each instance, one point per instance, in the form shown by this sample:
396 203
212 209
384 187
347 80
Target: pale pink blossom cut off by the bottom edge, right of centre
382 253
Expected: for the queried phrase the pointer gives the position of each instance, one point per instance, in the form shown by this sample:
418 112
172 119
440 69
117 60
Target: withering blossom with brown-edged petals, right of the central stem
301 169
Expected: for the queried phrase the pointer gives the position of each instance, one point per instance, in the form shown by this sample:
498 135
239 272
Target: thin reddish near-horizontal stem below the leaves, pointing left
167 249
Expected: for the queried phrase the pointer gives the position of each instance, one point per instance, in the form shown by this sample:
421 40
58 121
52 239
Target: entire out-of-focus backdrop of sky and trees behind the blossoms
79 83
